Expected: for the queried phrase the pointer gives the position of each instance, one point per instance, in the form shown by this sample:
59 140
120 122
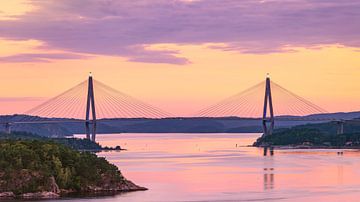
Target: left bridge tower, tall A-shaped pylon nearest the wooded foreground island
90 105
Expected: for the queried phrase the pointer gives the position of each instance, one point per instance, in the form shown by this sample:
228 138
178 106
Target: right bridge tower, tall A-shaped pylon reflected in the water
268 122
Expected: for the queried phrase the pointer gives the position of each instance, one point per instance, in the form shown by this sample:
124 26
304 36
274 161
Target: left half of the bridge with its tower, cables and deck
88 102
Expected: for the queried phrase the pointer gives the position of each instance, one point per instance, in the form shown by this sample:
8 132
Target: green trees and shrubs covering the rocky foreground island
26 166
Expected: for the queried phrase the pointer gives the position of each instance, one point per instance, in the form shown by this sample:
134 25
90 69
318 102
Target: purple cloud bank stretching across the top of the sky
124 28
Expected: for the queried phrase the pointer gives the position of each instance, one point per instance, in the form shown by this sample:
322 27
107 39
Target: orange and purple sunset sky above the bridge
180 55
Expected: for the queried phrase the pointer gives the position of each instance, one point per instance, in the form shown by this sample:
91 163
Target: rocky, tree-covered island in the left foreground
47 169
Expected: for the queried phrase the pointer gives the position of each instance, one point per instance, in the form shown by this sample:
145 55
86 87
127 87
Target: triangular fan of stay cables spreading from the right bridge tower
250 103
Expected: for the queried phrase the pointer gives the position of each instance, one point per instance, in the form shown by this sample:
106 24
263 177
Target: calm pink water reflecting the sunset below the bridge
219 167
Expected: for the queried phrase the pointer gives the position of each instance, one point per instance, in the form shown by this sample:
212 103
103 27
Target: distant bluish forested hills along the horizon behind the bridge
165 125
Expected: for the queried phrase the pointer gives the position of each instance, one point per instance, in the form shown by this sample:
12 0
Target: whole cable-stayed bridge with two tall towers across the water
92 101
